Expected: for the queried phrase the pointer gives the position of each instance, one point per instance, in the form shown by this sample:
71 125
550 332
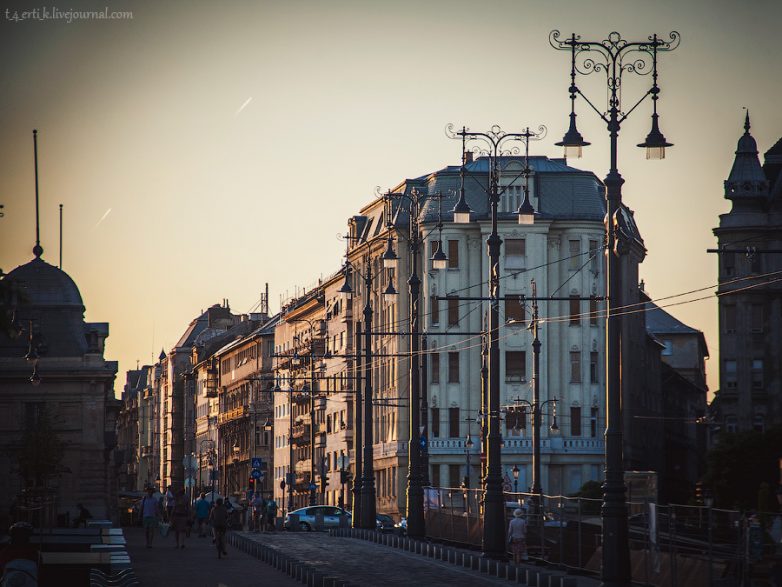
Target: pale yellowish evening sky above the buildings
204 149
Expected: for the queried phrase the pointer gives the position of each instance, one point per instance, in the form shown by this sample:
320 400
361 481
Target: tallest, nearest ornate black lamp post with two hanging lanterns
614 57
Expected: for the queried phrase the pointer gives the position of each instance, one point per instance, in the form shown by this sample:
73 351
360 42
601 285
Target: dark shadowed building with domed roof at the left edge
57 406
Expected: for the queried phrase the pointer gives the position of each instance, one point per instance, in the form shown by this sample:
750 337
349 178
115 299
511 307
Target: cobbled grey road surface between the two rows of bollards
366 563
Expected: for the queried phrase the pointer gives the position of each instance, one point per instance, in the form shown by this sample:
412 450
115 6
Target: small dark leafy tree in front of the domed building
41 450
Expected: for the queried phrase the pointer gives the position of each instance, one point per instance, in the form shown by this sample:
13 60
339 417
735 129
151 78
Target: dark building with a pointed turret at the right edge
750 296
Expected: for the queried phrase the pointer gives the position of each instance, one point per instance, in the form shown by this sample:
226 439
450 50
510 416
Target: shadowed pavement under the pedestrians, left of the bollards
197 565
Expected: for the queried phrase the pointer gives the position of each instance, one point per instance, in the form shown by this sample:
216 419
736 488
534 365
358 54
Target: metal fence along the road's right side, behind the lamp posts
669 545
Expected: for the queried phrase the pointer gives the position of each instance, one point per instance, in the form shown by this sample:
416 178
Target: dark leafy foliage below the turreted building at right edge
738 466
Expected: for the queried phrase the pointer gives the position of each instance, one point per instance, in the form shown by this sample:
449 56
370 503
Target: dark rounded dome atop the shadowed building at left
46 285
